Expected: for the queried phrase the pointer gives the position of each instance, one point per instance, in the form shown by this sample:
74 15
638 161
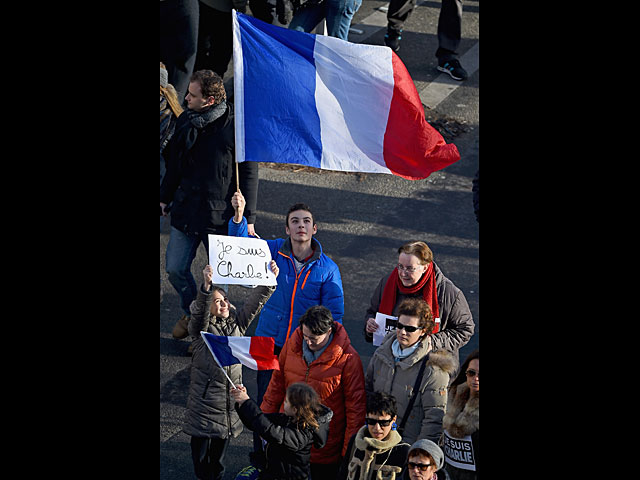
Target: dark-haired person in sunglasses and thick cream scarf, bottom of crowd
377 449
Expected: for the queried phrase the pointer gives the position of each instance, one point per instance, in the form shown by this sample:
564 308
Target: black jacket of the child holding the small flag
288 450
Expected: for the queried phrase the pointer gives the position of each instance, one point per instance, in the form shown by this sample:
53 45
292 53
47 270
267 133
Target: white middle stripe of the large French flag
354 87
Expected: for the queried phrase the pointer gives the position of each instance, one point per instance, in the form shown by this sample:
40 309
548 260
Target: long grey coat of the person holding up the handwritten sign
210 407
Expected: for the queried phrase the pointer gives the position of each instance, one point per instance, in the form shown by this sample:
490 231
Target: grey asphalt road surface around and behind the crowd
362 220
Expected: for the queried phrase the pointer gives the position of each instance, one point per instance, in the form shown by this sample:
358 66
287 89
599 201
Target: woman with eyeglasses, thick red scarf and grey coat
417 275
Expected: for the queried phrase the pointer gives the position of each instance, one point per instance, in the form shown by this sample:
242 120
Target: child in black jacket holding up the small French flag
289 435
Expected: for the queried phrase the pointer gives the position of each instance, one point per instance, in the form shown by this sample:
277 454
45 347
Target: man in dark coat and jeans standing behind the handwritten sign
200 180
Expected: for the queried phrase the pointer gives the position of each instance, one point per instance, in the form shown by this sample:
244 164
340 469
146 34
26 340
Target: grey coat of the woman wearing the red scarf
456 322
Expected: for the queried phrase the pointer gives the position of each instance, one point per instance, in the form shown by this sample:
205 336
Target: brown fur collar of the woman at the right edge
463 412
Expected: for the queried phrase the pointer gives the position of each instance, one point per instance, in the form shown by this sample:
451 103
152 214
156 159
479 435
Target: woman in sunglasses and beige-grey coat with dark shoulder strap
407 366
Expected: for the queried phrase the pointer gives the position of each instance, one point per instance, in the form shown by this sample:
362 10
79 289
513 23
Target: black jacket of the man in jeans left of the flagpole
202 182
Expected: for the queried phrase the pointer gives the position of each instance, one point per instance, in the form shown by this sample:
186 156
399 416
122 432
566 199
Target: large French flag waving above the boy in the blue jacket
323 102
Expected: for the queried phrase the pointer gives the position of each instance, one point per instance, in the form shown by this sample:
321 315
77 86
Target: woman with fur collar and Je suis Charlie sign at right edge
461 437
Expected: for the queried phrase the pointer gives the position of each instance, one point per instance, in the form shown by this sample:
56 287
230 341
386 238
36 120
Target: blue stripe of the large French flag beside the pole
279 90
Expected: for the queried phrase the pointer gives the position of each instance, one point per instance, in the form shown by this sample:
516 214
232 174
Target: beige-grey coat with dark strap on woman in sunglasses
386 375
